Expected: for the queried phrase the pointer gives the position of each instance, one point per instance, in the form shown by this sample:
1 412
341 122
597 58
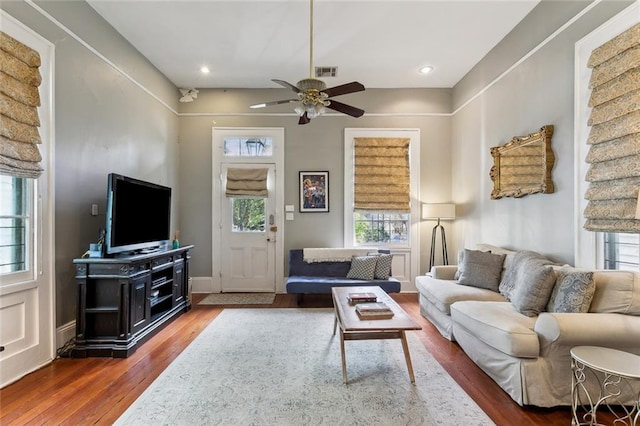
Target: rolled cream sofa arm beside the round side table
574 329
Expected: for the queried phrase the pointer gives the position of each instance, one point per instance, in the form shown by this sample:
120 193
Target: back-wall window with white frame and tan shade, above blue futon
378 207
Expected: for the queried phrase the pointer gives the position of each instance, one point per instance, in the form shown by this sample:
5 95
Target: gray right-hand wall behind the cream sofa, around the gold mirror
537 92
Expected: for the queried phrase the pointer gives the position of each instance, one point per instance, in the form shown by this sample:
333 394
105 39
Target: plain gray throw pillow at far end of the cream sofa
481 269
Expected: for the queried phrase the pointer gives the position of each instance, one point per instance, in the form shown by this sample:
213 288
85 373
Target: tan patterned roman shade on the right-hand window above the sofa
614 139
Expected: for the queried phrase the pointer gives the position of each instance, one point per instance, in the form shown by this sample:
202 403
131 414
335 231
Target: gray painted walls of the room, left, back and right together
104 123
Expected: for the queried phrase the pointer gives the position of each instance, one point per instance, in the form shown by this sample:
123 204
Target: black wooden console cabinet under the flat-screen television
122 301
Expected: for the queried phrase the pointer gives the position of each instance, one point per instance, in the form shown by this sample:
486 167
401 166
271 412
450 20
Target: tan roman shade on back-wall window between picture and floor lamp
381 174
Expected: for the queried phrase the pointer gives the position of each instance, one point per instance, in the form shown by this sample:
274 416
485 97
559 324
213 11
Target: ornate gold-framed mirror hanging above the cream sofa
523 165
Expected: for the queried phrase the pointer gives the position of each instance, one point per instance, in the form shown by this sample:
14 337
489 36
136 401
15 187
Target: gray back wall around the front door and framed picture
318 145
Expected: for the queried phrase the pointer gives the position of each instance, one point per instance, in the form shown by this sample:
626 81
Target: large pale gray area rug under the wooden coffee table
282 367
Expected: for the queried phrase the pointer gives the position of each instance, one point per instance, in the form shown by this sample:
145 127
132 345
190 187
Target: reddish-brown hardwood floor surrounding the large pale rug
98 390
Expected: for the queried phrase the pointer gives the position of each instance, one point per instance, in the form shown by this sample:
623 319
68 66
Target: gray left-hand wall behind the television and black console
103 123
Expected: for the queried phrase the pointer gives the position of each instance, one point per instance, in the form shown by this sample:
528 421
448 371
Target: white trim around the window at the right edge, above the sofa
589 245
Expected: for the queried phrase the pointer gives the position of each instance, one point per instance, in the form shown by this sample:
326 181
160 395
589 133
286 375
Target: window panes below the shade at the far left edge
15 224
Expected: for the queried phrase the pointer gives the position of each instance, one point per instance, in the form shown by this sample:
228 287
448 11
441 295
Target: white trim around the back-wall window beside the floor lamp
414 164
